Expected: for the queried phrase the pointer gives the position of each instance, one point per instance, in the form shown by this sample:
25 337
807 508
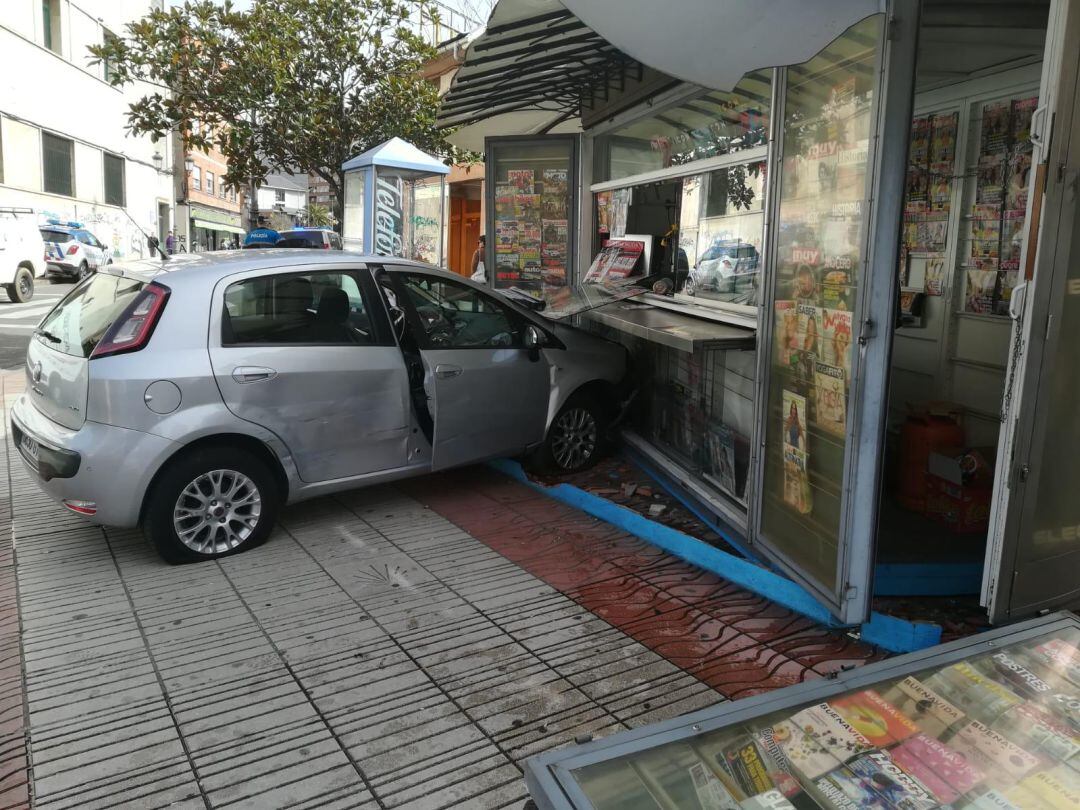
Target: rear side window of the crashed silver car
316 308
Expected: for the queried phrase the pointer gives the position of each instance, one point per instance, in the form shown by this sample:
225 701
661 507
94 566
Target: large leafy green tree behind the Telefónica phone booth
292 85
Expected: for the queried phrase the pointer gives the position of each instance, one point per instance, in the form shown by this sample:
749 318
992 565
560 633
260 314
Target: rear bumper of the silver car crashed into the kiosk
112 467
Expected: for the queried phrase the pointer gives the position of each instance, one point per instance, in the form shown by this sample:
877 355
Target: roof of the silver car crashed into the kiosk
211 267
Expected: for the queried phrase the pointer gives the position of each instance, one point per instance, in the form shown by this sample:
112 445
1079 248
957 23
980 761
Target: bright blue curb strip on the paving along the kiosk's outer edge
894 634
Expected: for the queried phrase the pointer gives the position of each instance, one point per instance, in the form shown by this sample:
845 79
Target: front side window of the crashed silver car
455 316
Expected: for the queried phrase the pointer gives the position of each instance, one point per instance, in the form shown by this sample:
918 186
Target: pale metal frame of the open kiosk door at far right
1037 336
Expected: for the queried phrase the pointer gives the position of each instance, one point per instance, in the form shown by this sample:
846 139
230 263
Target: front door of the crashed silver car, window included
489 394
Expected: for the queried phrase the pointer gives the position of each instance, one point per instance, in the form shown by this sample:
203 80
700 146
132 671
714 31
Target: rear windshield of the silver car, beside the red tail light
83 319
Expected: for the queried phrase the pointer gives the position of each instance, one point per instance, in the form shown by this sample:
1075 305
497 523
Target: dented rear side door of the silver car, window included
303 354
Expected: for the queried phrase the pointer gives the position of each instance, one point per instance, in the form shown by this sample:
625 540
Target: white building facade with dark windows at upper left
64 150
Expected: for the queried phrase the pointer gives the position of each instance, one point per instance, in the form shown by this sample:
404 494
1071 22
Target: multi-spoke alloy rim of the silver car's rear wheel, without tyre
218 512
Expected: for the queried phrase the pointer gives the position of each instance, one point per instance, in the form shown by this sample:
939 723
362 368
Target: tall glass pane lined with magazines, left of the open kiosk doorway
820 247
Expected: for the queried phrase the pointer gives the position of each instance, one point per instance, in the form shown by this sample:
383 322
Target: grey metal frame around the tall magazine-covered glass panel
868 399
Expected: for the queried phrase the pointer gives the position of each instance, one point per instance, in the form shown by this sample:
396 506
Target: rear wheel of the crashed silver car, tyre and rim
209 504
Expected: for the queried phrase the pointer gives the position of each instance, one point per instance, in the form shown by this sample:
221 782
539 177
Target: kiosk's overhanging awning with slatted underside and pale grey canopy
538 62
